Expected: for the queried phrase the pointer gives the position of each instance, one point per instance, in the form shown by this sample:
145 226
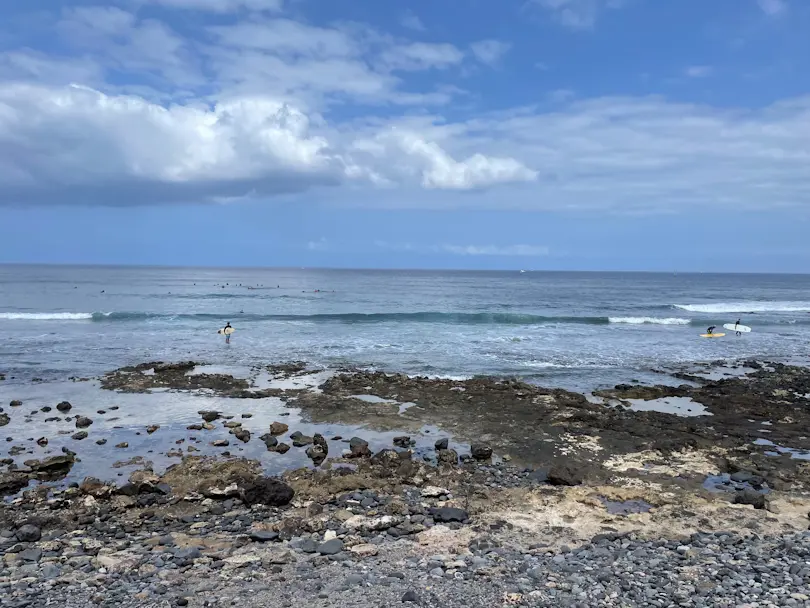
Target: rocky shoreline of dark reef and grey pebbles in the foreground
538 497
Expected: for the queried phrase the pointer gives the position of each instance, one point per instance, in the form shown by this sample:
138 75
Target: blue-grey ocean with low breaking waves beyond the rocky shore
573 330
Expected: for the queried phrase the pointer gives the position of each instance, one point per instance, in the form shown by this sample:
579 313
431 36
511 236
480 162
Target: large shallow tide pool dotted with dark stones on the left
122 419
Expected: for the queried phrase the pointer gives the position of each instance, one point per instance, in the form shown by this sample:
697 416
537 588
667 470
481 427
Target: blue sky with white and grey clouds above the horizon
530 134
